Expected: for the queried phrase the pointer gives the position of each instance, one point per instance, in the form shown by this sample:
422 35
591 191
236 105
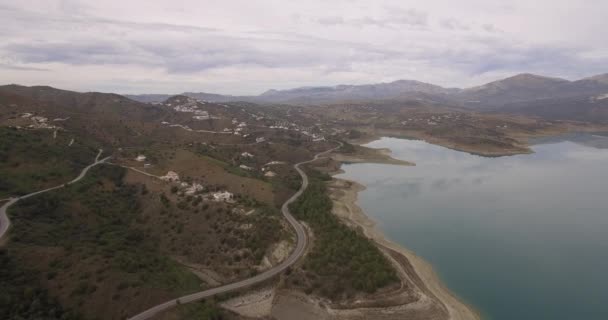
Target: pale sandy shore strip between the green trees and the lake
345 194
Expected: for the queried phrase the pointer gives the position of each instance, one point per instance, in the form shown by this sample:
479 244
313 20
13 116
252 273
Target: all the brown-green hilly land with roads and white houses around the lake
204 204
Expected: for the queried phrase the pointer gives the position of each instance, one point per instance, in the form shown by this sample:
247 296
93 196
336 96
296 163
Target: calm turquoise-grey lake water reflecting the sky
520 237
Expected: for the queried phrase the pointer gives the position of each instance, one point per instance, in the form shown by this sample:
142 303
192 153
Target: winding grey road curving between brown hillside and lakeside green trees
302 240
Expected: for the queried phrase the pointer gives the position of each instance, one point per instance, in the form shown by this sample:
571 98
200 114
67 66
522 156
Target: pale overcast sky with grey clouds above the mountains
249 46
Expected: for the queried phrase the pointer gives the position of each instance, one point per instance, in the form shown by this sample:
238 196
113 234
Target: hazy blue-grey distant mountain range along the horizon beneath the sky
554 98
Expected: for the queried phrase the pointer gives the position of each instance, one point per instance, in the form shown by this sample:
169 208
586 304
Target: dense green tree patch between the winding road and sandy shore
342 260
